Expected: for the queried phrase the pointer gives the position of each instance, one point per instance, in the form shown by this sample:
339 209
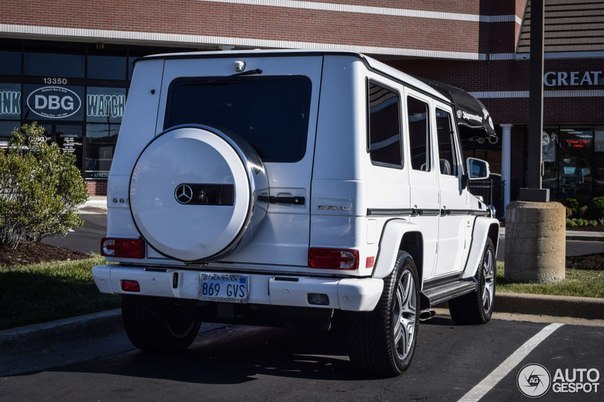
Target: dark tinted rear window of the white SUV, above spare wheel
270 113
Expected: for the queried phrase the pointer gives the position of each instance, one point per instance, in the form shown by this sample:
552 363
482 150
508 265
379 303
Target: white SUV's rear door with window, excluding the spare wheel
271 103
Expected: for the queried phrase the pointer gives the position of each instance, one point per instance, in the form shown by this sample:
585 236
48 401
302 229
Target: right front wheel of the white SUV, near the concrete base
477 307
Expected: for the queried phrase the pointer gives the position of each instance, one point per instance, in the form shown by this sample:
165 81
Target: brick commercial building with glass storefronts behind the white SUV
85 50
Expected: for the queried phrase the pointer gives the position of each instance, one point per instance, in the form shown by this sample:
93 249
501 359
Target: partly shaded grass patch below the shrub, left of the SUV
50 291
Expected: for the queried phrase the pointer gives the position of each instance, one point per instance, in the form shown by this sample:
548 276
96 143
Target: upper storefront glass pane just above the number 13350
54 65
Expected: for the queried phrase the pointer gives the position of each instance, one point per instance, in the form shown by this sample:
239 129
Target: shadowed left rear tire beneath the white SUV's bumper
156 326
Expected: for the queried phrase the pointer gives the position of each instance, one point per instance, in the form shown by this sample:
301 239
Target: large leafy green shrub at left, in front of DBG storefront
40 188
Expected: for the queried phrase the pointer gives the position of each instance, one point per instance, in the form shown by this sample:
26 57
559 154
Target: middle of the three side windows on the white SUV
419 134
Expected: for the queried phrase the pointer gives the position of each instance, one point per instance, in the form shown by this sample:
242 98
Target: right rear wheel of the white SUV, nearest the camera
383 341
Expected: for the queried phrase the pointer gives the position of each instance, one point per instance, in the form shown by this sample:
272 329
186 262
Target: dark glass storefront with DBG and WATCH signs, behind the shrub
57 85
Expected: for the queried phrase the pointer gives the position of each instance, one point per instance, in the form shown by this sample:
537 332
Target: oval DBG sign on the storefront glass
54 102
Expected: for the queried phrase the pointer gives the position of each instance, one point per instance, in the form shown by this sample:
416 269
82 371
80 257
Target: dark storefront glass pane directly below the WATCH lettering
100 146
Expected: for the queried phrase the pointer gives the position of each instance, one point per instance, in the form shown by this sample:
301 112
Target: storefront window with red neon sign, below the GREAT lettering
576 148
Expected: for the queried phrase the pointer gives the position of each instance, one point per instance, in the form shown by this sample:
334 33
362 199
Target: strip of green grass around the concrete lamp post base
578 282
